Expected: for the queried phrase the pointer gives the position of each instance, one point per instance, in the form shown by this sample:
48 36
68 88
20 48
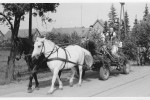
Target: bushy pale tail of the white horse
88 59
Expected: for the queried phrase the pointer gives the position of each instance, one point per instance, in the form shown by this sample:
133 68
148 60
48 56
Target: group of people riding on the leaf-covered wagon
109 40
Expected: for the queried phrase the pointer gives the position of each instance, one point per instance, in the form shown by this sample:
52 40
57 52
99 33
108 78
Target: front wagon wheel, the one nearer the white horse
104 72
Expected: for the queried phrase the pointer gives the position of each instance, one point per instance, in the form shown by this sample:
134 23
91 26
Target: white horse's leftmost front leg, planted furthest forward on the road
55 74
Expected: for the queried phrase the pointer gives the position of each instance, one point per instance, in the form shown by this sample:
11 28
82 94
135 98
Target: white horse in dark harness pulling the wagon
73 55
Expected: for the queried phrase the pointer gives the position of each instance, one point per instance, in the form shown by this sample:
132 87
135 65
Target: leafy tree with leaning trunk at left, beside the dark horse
12 14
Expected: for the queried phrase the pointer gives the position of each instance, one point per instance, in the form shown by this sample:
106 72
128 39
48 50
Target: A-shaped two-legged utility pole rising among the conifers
122 13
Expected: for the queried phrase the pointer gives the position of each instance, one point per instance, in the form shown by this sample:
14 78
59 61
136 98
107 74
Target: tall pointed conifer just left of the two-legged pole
112 16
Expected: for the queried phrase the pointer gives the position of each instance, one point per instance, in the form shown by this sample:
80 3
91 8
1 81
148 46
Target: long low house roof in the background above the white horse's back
79 30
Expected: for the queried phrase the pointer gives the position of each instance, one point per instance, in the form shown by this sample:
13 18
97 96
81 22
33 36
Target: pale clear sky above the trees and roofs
83 14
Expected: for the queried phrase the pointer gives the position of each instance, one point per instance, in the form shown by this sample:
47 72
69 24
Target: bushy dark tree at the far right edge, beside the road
140 35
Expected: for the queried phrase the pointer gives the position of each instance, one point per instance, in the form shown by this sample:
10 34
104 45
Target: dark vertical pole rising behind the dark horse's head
30 22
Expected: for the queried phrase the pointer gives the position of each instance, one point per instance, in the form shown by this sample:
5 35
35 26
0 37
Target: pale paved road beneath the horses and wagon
135 84
